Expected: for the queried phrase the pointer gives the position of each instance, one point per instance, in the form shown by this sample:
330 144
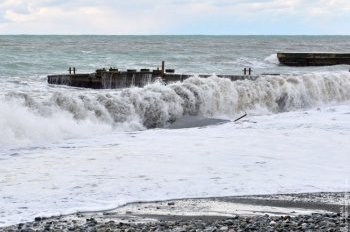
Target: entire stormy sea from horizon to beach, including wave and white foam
65 149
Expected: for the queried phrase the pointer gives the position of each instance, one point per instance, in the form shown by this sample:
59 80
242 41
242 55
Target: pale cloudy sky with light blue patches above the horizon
175 17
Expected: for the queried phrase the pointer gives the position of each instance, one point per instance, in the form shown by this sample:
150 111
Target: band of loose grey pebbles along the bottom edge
315 222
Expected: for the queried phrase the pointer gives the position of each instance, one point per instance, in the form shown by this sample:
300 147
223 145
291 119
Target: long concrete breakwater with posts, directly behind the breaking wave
114 78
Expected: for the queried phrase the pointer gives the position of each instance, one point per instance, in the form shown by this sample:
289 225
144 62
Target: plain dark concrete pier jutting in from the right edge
313 59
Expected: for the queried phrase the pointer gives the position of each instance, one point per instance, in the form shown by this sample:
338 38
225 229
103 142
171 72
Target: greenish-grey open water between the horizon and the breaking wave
26 55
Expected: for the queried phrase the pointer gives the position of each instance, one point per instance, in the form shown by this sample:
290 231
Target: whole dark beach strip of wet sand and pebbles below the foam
305 211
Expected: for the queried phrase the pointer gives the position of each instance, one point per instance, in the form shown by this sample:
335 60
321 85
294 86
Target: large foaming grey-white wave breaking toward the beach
70 114
